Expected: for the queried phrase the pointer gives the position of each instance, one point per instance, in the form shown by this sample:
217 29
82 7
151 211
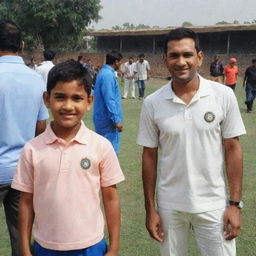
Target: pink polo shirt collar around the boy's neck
81 137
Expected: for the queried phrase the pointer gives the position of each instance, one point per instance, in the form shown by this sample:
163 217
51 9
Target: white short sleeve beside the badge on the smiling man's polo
232 125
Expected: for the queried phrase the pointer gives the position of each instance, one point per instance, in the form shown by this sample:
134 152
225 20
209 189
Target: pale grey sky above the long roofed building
164 13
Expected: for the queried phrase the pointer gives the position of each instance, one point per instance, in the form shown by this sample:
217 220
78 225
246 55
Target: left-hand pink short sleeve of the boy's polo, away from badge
24 175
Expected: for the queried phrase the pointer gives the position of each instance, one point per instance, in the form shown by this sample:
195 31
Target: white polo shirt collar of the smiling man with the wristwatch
203 90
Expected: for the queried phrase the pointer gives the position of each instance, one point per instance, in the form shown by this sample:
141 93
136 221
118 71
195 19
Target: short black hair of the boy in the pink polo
68 71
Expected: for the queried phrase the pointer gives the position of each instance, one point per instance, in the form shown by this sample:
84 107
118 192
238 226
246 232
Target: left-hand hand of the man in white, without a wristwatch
154 226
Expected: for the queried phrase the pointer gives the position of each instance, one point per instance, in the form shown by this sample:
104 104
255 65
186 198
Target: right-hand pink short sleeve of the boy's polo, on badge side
110 170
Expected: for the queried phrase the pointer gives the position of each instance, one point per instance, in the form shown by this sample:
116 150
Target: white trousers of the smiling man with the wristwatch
208 230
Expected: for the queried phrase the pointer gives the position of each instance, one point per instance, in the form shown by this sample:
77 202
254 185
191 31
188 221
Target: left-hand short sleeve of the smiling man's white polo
148 130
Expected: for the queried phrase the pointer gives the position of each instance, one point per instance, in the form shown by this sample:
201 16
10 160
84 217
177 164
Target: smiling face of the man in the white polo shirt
182 60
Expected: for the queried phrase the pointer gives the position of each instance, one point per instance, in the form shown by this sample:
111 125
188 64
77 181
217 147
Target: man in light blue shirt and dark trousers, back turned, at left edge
22 116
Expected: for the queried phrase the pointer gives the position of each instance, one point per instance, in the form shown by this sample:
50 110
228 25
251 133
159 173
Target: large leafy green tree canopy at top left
54 23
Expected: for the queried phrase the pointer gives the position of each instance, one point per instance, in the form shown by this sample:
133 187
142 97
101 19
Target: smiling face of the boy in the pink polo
68 102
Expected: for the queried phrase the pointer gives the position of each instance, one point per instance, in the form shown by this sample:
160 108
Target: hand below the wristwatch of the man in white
232 222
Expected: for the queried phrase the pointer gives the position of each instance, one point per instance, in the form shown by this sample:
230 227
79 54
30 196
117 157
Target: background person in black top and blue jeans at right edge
250 82
